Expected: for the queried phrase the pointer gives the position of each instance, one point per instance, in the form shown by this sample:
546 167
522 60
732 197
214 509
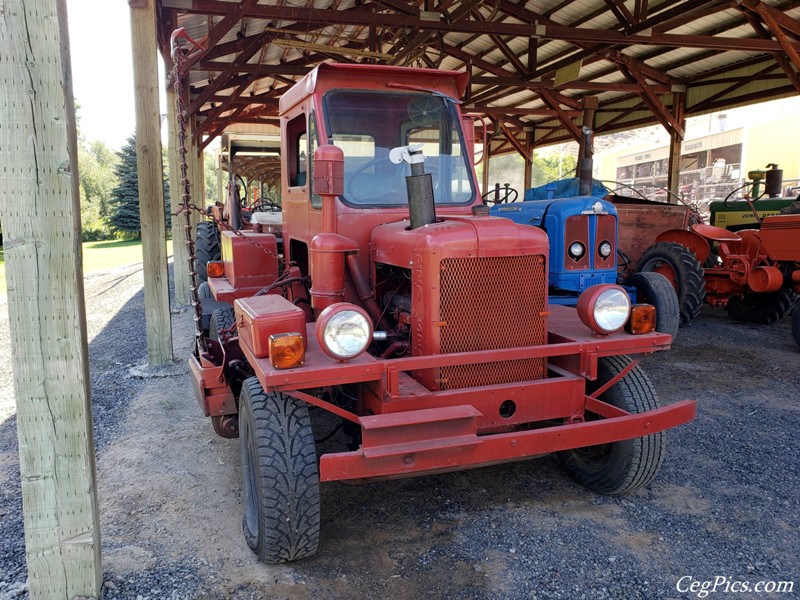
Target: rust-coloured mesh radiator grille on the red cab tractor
489 304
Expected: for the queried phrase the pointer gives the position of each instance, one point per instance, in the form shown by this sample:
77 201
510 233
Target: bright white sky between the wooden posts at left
102 69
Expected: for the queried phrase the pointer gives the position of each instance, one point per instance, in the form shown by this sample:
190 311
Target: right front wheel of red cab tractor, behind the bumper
625 466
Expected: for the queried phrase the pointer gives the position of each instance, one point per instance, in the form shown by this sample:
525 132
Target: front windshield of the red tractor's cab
367 125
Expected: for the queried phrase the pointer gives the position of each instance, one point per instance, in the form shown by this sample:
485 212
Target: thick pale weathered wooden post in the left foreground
40 209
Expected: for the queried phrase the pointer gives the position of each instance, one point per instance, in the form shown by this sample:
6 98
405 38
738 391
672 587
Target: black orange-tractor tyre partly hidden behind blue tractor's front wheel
684 272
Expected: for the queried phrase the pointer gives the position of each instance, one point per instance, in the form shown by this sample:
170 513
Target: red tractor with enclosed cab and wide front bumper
410 315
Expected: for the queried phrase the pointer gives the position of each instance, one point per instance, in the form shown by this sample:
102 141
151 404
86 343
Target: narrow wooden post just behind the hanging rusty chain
180 251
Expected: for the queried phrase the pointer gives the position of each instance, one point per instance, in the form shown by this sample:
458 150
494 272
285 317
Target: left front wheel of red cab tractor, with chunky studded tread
281 475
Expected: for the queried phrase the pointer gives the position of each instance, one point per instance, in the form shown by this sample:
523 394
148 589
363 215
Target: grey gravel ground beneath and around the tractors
725 503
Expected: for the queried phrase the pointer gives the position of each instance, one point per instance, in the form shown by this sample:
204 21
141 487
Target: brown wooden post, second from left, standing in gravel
151 191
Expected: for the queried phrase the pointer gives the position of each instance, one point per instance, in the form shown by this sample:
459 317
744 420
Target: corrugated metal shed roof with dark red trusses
722 53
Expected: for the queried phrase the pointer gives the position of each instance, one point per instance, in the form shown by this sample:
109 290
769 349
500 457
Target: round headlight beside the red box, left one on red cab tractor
344 331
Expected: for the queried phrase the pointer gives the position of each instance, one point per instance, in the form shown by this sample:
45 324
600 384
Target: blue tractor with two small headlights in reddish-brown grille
583 251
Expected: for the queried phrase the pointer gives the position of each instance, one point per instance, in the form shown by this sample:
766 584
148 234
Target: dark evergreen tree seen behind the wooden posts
124 205
